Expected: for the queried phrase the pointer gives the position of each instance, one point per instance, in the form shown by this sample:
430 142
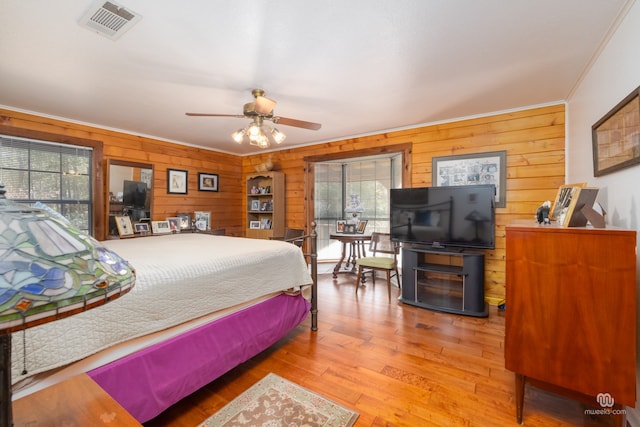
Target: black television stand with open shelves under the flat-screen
444 280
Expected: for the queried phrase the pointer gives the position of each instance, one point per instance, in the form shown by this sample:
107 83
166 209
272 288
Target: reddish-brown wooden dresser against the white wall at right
571 312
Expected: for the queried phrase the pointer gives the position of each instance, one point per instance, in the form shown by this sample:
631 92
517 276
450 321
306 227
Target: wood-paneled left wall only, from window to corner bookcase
225 205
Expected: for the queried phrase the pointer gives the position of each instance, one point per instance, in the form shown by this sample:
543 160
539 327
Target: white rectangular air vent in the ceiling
109 19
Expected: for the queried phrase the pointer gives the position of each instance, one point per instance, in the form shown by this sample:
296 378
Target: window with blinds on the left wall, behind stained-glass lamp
57 175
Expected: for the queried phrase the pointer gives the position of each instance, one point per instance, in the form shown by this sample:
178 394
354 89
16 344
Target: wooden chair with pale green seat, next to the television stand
381 243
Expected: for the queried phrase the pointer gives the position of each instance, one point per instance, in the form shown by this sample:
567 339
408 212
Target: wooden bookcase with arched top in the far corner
266 207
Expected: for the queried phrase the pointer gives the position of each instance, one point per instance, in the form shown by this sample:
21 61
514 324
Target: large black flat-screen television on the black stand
454 216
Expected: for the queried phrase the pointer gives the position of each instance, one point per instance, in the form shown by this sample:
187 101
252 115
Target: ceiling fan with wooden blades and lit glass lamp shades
260 110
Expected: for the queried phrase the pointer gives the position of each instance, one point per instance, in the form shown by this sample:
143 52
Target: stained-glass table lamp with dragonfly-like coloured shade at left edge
49 270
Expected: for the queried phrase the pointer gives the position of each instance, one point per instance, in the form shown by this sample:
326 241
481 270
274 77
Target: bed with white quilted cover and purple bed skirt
202 304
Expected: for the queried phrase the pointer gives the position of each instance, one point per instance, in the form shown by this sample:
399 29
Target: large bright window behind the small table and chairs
369 178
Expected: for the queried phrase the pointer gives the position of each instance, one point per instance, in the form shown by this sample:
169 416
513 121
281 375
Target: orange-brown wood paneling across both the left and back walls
534 140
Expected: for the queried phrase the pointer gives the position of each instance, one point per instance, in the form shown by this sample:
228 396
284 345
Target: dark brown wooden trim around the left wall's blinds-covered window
98 206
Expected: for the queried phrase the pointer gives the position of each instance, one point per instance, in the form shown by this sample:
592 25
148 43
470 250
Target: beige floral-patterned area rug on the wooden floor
276 402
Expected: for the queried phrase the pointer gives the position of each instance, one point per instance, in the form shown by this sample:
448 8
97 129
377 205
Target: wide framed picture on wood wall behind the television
476 168
